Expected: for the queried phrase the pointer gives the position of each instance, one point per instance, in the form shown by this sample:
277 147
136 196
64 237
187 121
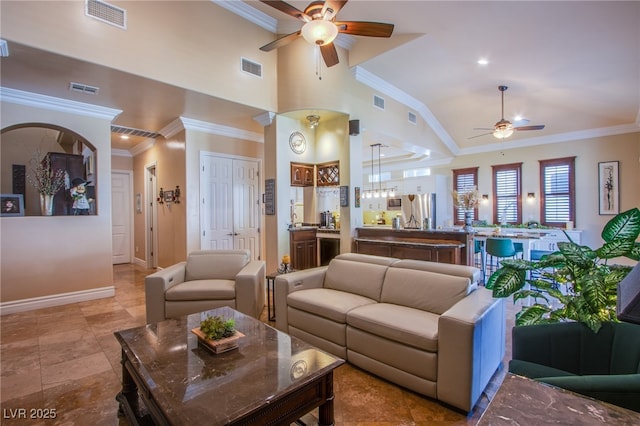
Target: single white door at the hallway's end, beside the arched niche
121 217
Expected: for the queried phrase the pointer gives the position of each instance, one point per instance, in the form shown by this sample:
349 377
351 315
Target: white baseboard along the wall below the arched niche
31 304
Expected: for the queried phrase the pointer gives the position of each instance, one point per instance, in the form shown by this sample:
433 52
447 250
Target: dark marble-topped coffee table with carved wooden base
272 378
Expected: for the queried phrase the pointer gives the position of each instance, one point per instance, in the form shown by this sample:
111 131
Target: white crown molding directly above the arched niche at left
57 104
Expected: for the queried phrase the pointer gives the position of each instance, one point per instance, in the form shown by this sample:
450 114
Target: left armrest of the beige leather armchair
156 284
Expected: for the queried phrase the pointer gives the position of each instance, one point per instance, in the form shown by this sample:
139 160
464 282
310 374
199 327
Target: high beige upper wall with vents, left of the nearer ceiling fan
196 46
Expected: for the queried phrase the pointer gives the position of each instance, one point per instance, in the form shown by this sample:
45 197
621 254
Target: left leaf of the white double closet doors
216 215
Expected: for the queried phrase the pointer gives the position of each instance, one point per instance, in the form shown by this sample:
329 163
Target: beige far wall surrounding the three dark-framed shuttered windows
623 148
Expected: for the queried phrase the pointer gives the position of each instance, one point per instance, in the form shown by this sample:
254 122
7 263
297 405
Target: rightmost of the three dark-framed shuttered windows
557 186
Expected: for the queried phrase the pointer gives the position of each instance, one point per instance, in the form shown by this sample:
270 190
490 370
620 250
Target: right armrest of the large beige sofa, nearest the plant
471 345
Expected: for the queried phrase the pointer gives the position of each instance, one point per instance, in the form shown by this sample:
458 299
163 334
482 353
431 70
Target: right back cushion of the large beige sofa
427 291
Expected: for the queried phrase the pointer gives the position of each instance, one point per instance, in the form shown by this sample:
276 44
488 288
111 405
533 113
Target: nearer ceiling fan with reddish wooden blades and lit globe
320 27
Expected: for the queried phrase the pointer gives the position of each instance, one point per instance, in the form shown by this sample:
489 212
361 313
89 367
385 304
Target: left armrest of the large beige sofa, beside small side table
294 281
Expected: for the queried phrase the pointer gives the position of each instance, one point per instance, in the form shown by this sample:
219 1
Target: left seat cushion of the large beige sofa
327 303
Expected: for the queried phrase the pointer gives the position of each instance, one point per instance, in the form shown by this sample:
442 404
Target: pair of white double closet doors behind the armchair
230 204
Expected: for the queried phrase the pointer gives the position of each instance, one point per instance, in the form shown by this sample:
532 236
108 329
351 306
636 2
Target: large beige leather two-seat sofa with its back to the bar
423 325
